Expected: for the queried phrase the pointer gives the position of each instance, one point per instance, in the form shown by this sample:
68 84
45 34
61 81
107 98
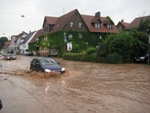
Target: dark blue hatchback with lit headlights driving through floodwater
46 65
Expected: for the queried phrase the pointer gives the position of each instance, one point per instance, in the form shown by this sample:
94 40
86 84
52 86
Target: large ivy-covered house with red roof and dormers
80 30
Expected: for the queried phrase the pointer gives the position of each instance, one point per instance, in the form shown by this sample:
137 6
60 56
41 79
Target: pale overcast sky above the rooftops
11 22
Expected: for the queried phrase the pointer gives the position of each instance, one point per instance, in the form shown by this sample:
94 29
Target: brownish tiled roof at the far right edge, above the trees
136 22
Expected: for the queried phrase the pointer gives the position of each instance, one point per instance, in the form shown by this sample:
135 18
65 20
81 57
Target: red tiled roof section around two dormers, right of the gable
88 19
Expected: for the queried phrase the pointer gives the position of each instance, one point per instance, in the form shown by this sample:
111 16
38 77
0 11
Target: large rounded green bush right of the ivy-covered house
126 44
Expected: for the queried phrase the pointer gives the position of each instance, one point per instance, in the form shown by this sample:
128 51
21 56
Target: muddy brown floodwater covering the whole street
84 88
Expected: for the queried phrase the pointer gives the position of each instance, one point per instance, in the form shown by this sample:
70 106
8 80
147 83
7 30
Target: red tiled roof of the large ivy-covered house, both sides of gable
60 22
